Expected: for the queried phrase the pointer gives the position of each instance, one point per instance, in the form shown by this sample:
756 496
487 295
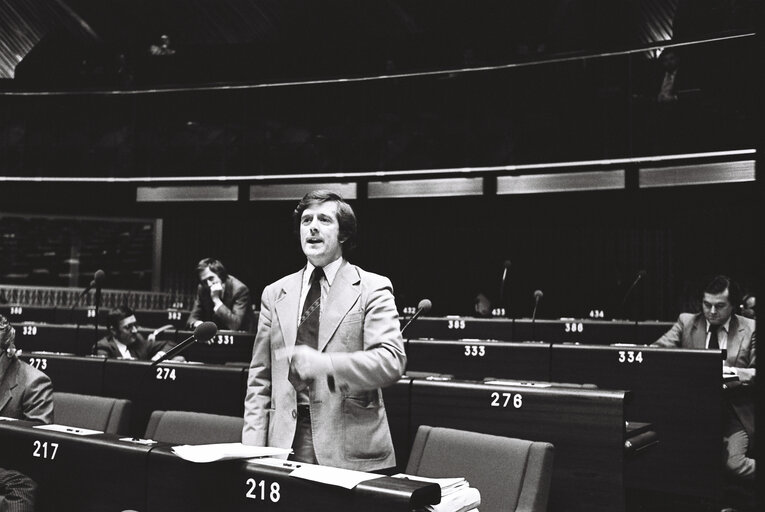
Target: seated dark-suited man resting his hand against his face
221 298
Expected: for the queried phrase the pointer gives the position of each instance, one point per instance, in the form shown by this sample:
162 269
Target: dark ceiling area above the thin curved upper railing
49 44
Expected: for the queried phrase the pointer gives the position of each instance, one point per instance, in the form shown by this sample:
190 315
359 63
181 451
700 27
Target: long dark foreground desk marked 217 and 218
100 472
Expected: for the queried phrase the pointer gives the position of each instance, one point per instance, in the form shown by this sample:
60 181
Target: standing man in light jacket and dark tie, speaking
328 339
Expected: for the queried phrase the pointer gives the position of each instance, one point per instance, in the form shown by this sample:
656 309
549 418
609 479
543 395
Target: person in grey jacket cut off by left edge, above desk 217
26 393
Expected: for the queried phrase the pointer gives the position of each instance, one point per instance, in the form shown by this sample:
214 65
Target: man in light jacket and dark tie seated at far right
718 327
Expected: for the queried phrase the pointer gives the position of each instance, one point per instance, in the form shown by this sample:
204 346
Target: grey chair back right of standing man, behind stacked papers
511 474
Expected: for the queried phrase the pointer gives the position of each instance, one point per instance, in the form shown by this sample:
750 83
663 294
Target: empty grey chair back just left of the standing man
185 427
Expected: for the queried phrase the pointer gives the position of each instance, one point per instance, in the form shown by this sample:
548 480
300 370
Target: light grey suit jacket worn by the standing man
360 331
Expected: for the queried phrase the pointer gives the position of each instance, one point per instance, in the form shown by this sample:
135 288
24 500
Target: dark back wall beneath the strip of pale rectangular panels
583 249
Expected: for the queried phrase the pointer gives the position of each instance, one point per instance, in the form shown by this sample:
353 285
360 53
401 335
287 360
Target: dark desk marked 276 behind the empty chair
586 427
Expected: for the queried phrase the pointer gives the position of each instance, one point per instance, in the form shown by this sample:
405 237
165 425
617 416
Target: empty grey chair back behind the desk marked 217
110 415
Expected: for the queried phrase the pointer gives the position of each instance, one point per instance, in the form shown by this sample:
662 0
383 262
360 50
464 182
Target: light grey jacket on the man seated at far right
690 331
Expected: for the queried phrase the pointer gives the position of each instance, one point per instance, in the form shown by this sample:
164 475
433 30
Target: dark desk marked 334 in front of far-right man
679 391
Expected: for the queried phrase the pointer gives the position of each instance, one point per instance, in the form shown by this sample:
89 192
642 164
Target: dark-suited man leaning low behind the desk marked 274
125 342
